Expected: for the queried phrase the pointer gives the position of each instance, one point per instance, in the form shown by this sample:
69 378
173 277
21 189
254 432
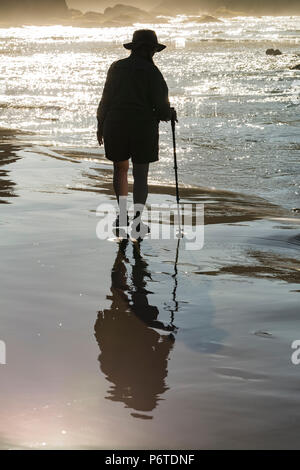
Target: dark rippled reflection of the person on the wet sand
134 356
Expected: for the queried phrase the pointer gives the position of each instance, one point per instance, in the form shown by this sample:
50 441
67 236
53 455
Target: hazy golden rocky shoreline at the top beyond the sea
51 12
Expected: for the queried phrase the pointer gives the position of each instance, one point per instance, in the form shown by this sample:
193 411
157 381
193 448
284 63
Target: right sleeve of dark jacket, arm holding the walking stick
160 96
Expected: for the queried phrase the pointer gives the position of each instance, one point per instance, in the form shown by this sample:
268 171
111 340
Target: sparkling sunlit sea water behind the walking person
238 108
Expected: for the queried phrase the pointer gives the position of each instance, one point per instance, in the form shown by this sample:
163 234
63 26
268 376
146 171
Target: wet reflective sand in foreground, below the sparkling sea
116 346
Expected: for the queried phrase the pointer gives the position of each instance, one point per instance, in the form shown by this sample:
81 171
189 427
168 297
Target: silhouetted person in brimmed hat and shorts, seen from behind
134 101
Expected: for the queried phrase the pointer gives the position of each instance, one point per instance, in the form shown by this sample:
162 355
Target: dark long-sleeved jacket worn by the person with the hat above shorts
134 90
